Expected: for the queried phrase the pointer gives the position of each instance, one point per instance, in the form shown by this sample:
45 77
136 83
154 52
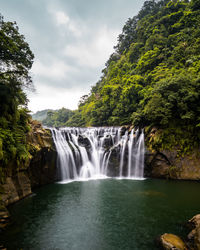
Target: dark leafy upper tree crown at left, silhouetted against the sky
16 58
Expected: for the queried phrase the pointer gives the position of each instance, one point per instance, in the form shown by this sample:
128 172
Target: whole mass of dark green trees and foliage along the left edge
16 60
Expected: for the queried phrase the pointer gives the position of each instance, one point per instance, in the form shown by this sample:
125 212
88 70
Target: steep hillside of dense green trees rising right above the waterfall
153 77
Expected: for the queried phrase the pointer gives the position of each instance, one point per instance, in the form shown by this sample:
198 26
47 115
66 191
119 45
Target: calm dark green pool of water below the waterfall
104 214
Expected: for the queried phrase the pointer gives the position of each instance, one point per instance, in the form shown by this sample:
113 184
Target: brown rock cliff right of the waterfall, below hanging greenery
170 164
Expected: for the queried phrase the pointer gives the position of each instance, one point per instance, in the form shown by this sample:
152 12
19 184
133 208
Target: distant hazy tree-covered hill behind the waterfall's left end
57 118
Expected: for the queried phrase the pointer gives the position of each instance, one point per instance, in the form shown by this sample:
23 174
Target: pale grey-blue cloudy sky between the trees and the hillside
71 41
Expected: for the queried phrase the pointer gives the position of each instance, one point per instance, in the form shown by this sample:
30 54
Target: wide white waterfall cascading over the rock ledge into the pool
86 153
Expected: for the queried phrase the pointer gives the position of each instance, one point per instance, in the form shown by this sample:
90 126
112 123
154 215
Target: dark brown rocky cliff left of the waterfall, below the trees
40 169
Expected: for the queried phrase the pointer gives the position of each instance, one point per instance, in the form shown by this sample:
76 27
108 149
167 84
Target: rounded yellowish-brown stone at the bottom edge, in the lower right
171 241
